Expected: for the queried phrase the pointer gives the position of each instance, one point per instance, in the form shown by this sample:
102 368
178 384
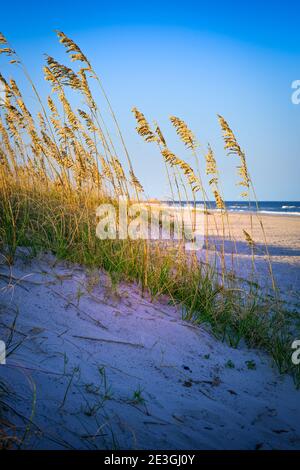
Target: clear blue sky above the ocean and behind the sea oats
192 59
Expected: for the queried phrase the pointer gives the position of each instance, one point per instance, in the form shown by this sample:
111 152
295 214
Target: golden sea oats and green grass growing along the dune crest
57 167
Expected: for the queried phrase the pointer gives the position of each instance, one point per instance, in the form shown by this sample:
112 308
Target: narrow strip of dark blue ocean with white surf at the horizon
265 207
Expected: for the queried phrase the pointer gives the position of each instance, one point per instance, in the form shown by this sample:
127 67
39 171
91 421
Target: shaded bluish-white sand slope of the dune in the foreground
65 330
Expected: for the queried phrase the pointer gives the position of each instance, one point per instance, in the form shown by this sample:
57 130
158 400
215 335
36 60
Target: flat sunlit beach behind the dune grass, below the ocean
276 246
